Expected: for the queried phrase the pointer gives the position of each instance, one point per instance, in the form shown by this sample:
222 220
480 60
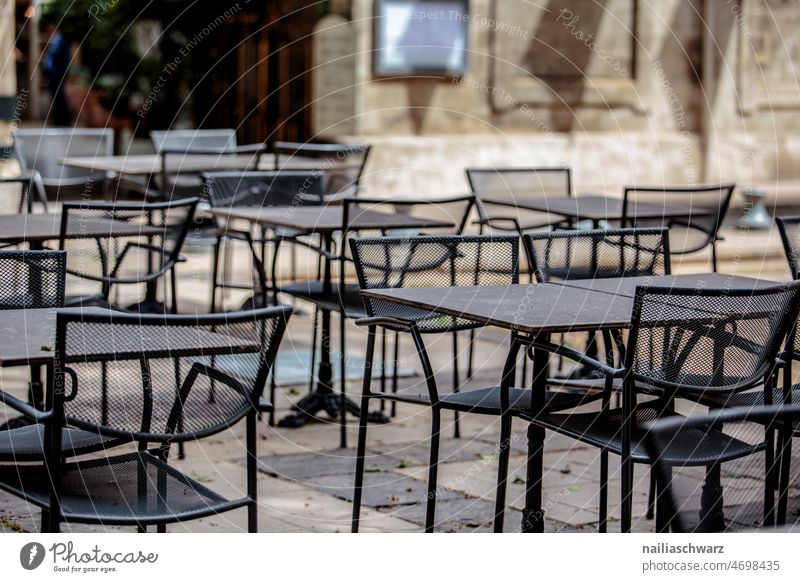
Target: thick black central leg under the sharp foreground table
533 513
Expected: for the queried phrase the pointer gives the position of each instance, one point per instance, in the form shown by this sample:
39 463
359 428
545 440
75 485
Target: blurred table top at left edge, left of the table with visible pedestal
42 227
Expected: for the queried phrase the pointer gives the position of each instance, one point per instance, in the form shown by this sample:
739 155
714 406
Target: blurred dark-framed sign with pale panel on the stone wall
413 37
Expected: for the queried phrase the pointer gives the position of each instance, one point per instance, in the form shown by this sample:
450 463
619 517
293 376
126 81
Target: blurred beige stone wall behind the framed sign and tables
624 91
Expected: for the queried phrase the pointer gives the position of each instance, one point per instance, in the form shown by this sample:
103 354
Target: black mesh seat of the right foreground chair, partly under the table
688 447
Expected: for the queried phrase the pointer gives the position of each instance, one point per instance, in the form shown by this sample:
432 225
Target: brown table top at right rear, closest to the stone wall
595 207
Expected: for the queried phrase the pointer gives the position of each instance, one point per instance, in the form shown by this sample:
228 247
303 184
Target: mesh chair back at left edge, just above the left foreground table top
32 279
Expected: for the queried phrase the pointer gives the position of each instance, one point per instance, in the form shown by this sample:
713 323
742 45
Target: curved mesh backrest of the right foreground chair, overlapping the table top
703 341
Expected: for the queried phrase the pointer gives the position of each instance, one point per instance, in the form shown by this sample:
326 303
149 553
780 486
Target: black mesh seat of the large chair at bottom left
130 489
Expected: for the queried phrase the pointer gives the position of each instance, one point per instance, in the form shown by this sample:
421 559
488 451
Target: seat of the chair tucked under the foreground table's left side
487 400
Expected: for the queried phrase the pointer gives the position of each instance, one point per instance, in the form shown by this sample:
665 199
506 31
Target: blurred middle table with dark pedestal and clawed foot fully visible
325 221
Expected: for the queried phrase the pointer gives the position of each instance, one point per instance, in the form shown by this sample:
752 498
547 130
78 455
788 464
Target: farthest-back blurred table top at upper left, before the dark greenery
148 164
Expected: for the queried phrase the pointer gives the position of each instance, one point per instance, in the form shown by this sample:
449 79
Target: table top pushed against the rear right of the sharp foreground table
627 285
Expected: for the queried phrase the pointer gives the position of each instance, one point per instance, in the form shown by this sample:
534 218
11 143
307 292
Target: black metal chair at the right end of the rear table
705 207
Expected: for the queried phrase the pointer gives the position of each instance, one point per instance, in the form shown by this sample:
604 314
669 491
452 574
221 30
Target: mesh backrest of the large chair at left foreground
163 378
